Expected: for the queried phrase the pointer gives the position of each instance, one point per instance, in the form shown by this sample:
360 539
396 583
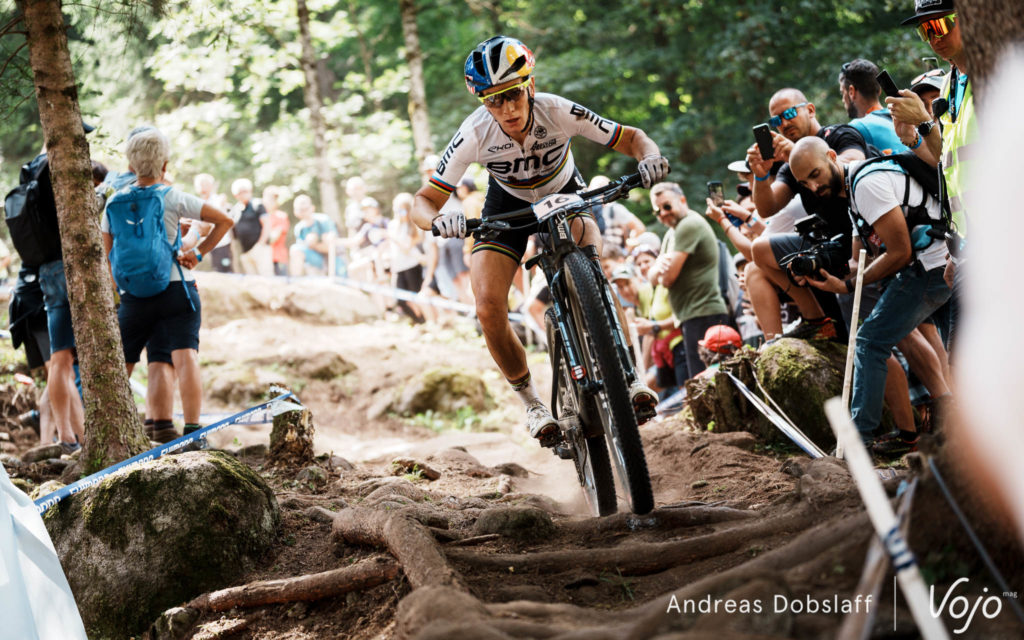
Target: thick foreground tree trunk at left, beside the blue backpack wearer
112 425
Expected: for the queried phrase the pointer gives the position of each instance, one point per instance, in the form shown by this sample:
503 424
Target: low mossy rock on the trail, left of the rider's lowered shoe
445 392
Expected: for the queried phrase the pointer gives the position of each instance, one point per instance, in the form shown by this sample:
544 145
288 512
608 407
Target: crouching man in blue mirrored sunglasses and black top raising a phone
795 119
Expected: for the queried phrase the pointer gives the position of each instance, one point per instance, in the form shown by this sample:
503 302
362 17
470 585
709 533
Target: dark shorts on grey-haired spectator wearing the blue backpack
167 318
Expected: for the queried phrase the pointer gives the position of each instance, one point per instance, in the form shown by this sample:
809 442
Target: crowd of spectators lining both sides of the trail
778 260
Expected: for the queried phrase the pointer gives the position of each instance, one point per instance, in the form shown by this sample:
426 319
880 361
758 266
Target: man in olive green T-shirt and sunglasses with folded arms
688 267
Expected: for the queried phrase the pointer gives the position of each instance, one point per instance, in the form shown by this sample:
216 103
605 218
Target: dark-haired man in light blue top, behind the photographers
861 91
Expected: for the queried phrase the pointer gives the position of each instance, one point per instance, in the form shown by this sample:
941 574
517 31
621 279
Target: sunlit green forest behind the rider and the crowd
226 81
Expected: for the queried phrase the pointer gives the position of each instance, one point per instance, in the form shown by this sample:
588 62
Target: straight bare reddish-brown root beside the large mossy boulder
305 588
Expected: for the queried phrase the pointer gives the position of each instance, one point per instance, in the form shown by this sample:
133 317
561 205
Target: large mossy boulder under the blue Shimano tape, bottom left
141 542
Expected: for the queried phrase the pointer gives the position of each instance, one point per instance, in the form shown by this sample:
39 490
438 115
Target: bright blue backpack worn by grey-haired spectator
142 258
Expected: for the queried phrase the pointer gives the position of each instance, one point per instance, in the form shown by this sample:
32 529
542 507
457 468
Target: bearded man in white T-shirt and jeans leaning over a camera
908 262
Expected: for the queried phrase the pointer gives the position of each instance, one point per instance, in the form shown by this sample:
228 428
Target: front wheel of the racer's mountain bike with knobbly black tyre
613 401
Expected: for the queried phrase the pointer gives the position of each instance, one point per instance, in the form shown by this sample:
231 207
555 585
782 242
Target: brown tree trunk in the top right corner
988 27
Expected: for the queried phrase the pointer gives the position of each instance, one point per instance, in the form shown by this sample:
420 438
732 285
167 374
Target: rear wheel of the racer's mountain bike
589 454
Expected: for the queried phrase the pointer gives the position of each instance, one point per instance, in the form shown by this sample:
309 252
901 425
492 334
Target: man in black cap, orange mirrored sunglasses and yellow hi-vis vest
937 25
